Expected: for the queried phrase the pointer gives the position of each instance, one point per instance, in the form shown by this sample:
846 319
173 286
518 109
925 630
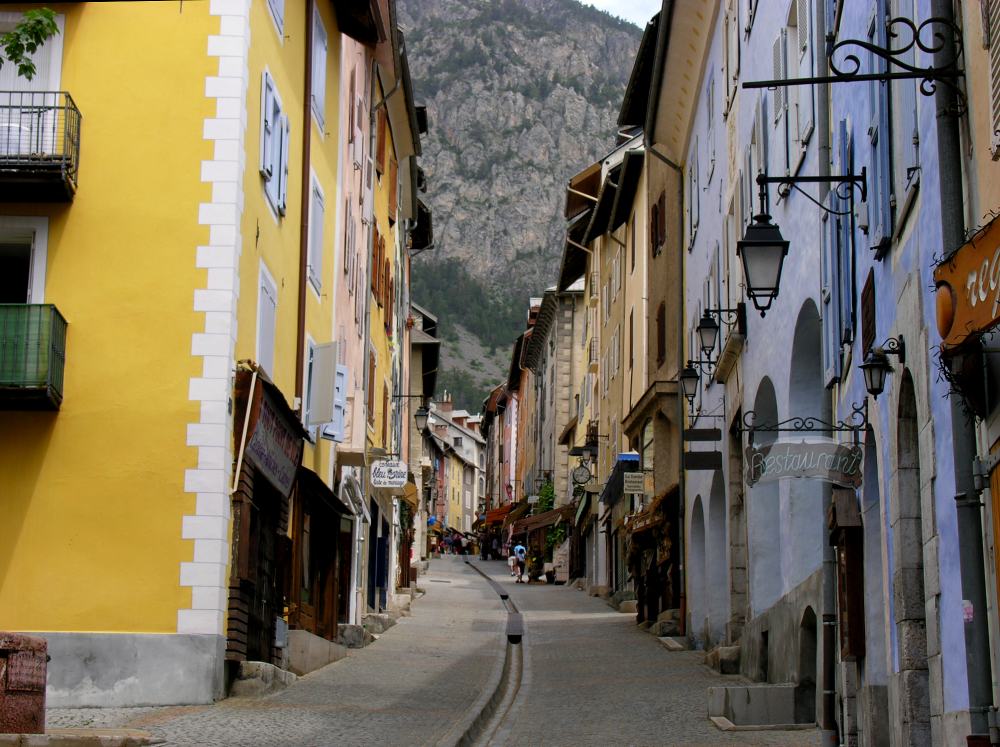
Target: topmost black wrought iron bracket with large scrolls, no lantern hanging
930 37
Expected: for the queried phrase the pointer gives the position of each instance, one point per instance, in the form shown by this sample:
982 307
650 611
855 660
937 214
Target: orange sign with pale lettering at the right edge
968 288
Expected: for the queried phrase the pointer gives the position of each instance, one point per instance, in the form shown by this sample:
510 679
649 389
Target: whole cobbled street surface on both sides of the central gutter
589 677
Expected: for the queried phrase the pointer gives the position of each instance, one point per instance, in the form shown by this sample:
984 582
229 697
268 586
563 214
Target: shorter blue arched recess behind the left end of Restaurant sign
763 515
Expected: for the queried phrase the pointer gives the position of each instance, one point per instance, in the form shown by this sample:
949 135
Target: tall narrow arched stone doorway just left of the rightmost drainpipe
909 610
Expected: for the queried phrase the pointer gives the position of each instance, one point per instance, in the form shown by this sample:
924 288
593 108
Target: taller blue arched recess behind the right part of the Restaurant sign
802 504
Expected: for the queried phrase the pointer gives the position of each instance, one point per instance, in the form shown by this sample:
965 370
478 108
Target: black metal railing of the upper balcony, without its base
40 130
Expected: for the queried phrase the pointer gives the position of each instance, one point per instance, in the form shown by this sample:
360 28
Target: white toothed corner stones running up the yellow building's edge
205 572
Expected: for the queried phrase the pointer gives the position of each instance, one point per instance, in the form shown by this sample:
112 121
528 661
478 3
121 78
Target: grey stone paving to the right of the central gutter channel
591 677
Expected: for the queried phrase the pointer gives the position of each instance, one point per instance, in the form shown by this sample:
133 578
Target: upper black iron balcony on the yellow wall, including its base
39 146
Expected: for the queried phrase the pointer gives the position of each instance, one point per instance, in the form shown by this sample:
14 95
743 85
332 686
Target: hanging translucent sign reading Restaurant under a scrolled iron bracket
825 460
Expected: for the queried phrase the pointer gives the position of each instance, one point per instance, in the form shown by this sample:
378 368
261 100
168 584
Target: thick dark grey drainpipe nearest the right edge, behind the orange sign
969 509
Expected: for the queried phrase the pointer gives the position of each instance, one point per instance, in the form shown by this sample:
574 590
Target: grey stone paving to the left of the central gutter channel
415 685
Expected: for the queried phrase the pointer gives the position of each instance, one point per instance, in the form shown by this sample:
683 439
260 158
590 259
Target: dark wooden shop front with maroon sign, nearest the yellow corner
268 443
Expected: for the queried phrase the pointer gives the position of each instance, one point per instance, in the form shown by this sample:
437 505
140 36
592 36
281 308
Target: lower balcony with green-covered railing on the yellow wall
32 356
